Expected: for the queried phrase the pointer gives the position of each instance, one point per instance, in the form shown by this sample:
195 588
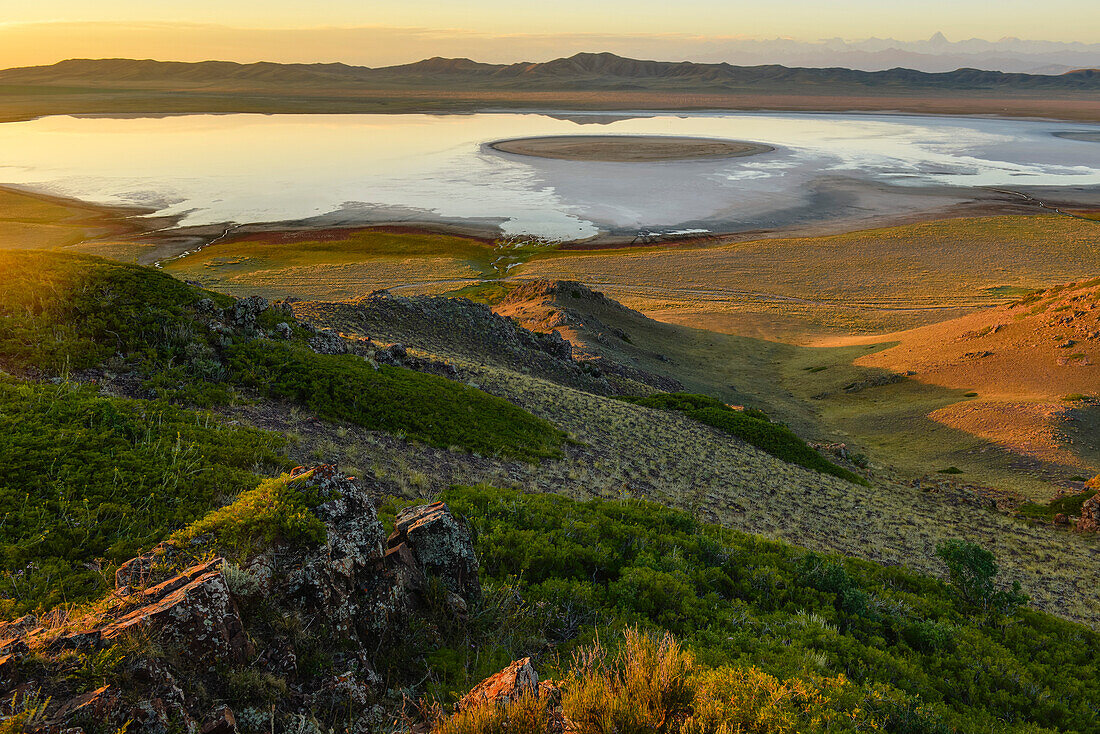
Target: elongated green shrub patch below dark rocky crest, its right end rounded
433 410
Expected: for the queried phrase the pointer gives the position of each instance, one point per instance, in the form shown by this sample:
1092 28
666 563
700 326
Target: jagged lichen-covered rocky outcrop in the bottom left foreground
203 623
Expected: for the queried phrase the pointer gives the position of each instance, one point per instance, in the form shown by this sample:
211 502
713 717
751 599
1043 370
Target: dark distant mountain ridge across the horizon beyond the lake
580 72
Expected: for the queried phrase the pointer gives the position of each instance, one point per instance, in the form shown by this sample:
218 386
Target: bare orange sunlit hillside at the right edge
1030 374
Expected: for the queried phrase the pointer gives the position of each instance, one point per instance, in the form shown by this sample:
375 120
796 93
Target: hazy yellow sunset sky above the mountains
377 32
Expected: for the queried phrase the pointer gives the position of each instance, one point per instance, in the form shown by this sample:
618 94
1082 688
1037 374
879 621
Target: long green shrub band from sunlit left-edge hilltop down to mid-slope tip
62 312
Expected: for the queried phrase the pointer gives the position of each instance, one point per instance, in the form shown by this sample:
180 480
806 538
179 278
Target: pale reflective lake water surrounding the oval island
243 169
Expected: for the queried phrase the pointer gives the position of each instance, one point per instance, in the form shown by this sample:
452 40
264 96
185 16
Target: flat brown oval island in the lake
629 149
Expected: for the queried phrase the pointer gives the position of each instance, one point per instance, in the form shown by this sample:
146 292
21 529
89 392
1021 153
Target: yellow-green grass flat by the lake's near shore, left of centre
337 266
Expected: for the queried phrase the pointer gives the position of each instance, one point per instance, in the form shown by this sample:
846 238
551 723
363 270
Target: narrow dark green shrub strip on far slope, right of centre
752 428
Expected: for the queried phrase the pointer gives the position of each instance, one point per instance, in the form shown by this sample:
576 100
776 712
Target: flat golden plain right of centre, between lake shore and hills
865 282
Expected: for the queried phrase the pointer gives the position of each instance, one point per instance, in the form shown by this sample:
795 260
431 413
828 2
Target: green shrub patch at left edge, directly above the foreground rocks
90 481
